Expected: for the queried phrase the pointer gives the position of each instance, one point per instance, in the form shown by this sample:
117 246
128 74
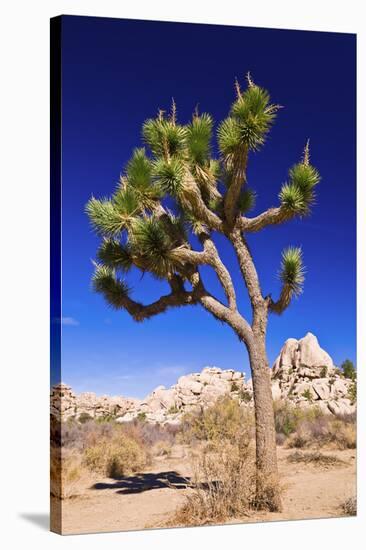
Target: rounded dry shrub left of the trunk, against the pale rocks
225 420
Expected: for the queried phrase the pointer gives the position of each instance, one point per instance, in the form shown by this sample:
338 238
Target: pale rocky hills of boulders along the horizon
303 374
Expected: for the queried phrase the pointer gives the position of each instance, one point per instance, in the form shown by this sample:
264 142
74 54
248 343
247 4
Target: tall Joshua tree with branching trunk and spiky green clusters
176 189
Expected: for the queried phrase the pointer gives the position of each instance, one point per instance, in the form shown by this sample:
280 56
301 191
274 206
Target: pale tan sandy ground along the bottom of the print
149 499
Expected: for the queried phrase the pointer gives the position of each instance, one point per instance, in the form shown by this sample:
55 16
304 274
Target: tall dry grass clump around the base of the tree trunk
224 485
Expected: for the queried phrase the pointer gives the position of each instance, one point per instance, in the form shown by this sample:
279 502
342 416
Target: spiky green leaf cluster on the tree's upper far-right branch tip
298 194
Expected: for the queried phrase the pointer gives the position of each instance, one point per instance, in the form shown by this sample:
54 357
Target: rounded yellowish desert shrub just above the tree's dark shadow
116 457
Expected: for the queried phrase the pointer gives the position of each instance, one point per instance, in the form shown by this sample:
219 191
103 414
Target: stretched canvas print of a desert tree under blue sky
203 219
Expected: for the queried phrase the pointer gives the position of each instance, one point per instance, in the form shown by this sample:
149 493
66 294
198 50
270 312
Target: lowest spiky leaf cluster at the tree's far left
105 282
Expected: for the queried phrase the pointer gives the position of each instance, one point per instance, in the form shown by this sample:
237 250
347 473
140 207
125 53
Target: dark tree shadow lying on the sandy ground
145 482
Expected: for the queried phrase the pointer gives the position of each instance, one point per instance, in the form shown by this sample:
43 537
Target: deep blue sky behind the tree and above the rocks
117 73
